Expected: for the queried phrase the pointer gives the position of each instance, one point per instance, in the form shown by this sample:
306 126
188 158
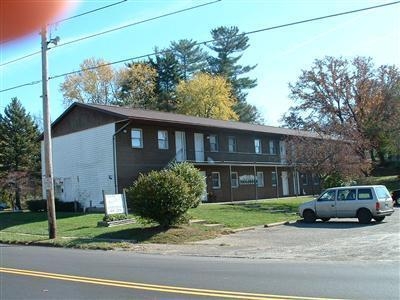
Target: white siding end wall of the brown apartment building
83 165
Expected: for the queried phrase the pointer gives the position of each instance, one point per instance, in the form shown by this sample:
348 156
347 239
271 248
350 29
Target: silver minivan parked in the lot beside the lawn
362 202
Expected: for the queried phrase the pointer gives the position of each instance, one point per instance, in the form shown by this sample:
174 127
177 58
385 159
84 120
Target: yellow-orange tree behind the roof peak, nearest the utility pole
95 84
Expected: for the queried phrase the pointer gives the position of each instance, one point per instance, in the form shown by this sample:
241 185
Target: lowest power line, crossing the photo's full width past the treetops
209 41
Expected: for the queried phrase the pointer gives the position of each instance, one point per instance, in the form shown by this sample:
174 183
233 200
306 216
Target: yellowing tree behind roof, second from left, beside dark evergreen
137 86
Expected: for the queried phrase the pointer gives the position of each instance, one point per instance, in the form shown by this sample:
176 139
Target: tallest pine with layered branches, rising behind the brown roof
229 45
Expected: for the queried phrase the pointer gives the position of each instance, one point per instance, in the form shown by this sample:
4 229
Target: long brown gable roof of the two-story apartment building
157 116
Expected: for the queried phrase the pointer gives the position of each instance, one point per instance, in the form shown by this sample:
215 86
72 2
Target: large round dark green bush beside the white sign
160 196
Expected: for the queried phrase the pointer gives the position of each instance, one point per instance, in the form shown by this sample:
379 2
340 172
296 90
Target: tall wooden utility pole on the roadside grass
48 157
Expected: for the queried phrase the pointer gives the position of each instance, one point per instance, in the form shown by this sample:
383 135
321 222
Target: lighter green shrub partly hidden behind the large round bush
193 178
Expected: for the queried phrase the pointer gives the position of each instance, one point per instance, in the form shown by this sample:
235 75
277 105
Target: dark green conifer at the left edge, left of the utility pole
20 148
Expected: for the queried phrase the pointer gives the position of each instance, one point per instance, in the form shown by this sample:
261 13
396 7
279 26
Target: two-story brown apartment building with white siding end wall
97 147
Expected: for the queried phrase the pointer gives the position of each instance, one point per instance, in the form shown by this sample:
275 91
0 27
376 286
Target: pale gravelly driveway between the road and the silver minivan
336 240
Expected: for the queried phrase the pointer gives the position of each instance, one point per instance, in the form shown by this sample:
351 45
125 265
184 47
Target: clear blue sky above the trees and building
279 54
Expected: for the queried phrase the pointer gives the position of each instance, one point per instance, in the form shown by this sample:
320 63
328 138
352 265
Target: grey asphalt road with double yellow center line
51 273
